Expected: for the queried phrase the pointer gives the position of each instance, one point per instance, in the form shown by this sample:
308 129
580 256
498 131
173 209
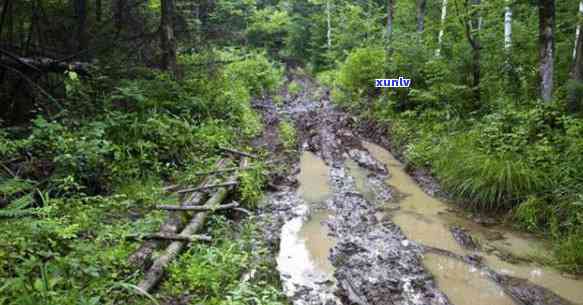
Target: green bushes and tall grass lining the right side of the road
496 146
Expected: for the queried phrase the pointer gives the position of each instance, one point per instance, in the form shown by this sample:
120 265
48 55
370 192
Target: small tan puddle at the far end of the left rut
313 178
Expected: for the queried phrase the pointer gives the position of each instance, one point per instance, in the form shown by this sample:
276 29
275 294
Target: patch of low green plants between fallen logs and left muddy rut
212 273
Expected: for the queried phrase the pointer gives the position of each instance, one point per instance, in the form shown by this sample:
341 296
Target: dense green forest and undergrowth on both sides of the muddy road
104 104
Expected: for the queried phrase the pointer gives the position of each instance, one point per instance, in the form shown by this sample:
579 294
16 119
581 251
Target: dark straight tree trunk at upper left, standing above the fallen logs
167 37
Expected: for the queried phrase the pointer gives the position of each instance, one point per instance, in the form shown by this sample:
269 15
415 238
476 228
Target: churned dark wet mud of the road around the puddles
374 261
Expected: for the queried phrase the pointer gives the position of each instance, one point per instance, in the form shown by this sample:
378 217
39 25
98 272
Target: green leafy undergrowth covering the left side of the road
74 189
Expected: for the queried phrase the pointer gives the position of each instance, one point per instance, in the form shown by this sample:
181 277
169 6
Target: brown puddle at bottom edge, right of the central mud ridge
464 284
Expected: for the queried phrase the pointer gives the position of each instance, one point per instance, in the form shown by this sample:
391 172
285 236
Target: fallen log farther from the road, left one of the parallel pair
170 226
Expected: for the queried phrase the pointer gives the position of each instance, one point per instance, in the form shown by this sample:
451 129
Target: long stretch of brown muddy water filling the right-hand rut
427 220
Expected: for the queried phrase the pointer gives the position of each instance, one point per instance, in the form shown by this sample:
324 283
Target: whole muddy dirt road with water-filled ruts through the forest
351 226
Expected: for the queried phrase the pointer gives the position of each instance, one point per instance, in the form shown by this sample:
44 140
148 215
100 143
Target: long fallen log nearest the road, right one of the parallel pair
153 276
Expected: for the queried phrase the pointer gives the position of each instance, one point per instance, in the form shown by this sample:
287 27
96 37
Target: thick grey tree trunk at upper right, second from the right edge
546 47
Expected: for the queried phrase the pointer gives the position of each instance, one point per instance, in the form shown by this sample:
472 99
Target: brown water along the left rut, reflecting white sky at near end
305 243
